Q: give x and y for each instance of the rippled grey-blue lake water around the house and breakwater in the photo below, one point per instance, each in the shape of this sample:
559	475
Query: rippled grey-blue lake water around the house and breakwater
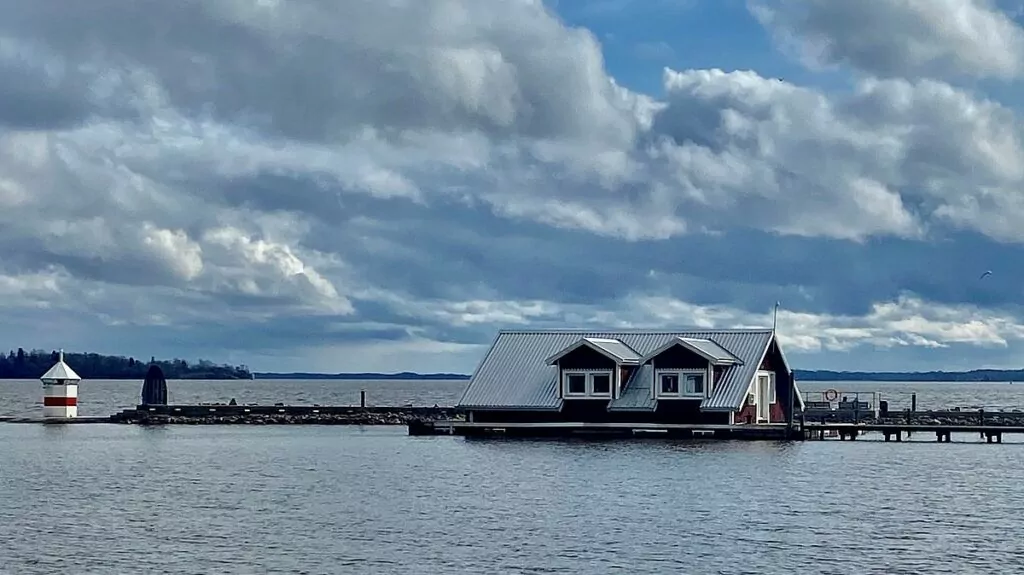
180	500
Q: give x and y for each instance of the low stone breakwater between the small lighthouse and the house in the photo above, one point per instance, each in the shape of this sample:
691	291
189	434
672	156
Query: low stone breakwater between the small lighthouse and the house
281	415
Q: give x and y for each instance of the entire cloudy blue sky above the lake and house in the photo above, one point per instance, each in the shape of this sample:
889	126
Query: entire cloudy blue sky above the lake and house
381	185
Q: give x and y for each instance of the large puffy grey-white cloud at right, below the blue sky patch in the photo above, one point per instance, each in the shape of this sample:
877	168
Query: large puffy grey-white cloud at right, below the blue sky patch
892	158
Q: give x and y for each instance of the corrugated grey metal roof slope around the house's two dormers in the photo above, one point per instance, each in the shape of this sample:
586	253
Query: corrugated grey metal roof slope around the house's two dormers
514	374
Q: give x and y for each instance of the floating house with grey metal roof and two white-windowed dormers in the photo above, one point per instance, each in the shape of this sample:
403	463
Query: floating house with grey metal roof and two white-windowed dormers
701	377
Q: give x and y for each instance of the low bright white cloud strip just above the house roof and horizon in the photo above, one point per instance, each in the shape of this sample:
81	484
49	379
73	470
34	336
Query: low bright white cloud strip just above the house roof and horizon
905	322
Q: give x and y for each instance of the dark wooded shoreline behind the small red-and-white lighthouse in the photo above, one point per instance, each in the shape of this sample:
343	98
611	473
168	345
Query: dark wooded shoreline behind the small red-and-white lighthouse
23	365
